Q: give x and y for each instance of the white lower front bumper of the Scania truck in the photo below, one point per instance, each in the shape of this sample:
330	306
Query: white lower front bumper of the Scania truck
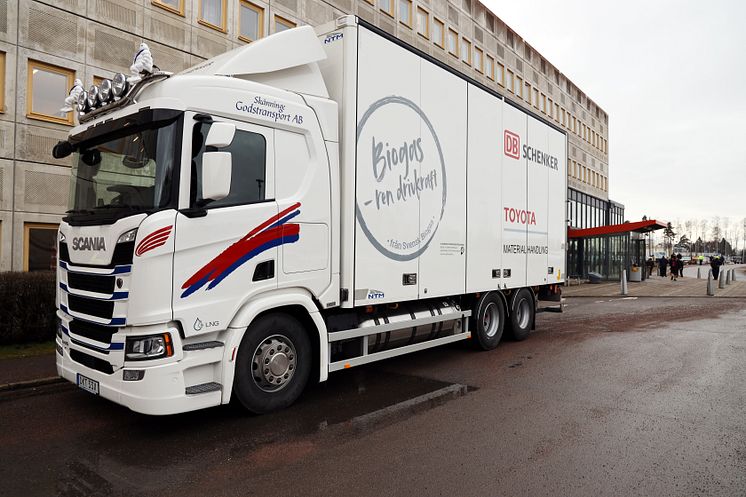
163	388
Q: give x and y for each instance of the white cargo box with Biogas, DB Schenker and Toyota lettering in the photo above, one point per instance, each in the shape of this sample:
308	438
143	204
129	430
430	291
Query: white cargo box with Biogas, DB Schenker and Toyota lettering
446	188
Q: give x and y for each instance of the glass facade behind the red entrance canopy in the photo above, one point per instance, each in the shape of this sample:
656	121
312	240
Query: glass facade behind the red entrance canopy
605	255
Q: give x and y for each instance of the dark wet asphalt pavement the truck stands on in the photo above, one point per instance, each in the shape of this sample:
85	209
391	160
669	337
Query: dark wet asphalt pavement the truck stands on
613	397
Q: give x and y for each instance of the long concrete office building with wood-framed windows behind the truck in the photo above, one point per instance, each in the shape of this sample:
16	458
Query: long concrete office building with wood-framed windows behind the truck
45	45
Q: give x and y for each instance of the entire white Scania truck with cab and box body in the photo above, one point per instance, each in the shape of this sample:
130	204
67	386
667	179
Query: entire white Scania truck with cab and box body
313	201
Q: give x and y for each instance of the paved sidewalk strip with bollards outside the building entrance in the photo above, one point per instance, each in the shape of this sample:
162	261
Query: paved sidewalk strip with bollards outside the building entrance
656	286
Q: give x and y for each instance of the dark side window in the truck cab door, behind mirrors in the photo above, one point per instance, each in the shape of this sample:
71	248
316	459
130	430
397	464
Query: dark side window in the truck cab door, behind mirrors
249	164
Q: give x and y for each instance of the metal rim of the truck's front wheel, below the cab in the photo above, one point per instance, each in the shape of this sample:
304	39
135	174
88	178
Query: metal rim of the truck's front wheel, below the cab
274	363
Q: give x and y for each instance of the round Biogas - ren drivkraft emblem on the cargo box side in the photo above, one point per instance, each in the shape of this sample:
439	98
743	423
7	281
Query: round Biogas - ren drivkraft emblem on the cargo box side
401	180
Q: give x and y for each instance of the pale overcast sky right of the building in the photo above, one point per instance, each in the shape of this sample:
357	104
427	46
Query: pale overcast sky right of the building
672	77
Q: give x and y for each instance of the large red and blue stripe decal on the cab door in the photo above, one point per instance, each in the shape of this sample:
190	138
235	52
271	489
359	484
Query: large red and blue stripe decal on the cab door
273	232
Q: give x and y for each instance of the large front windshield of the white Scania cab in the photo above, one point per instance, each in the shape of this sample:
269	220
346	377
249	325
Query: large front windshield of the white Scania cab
125	172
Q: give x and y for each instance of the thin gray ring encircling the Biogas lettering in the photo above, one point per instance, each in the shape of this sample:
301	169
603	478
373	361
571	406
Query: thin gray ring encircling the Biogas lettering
396	100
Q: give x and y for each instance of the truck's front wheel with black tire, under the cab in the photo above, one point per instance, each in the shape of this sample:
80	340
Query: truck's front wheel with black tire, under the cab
280	344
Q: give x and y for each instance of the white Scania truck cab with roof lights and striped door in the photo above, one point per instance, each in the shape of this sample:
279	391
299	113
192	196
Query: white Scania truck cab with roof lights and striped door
199	203
